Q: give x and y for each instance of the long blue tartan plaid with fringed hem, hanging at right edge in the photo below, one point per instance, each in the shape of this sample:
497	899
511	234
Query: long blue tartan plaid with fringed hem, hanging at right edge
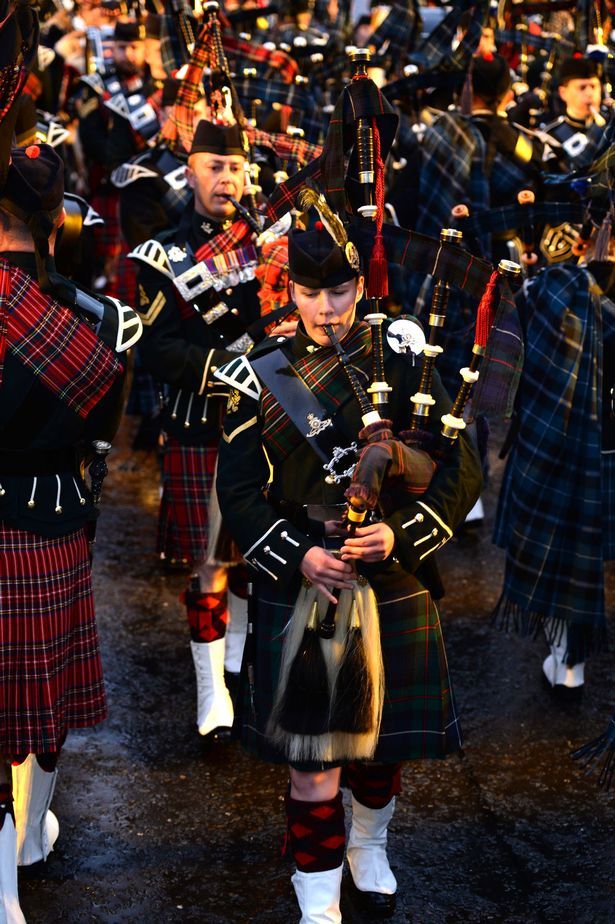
552	506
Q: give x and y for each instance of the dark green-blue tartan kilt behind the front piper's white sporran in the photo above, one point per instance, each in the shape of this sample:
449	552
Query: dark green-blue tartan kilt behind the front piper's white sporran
419	718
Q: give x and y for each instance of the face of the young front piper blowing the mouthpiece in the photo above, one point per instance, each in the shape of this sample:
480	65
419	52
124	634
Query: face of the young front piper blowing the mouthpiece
335	306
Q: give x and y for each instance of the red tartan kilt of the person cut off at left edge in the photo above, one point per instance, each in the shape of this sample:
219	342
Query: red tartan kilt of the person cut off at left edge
50	668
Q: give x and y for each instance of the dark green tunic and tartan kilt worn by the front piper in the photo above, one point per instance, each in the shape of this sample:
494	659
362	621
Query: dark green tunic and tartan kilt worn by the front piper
272	492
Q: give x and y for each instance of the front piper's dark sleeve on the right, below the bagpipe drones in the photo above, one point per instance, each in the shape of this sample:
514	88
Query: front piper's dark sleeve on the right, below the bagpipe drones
425	525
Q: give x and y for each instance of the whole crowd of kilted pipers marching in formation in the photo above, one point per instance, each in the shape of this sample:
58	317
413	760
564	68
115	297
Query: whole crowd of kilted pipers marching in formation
317	246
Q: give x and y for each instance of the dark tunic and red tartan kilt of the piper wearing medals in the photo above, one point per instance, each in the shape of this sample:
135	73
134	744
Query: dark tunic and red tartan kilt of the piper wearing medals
182	346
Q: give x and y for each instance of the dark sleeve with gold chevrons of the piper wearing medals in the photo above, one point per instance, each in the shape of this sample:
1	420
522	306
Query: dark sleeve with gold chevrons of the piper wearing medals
166	350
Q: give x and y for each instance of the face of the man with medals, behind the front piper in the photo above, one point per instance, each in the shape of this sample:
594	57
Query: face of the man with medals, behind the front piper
214	177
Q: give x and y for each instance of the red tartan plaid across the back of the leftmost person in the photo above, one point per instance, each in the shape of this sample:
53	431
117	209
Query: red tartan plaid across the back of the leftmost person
53	343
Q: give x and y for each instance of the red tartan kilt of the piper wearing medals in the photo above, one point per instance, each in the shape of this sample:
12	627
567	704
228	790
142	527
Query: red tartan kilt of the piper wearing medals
187	479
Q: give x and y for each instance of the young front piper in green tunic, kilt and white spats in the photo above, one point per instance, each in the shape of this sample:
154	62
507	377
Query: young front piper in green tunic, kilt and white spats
284	512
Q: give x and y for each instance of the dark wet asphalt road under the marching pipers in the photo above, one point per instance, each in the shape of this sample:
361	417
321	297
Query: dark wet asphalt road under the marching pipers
153	828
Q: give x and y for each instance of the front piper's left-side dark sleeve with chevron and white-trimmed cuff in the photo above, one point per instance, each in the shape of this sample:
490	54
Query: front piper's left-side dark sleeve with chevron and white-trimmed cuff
271	545
